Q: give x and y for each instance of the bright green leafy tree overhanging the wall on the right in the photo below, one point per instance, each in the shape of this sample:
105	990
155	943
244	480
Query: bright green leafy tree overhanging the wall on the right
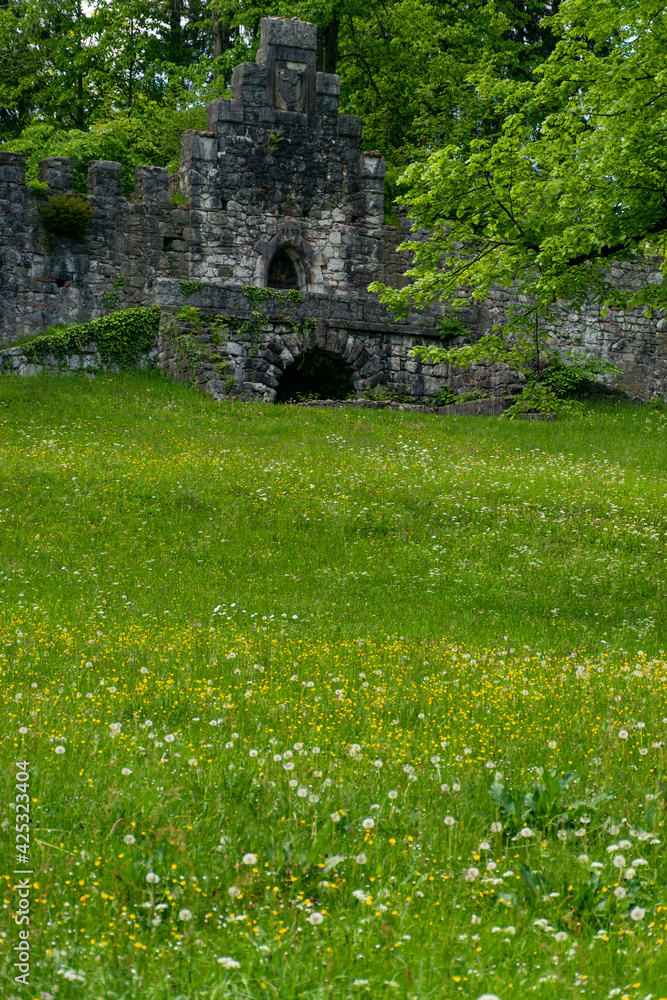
575	177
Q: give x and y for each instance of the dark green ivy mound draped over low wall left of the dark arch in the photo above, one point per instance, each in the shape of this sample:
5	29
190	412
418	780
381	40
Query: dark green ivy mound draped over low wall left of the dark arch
121	337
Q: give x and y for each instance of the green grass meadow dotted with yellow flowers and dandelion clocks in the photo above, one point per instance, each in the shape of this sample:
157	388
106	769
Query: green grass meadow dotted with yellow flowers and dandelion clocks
331	703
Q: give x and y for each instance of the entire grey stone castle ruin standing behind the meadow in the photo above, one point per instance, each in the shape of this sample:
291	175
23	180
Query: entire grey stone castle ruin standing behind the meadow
276	196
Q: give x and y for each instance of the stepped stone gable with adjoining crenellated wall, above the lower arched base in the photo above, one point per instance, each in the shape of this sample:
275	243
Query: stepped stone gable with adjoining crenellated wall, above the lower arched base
268	176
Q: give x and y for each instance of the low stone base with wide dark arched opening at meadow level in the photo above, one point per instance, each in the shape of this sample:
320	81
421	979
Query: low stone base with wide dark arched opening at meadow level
280	353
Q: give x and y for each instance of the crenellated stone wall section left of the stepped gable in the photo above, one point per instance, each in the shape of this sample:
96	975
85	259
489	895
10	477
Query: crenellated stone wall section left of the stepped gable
43	285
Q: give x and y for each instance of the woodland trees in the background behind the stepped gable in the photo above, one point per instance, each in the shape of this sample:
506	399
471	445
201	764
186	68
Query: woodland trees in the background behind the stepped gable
113	77
